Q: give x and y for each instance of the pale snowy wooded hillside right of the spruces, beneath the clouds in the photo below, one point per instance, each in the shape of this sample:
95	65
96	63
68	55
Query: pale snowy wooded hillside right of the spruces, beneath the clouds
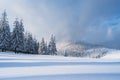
81	49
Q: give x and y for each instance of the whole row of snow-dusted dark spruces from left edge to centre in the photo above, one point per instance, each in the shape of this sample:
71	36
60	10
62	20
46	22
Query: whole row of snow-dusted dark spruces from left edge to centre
20	41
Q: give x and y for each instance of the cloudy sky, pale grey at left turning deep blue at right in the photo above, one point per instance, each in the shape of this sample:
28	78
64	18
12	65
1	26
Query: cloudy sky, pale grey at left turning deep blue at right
94	21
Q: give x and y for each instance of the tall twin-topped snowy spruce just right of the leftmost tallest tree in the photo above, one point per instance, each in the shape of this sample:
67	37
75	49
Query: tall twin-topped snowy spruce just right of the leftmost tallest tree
17	37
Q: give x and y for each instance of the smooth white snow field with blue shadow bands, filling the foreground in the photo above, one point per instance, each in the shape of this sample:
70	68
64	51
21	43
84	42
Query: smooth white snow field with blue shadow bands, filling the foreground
40	67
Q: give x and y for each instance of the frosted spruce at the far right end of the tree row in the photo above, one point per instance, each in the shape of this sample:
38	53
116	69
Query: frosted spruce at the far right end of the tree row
52	46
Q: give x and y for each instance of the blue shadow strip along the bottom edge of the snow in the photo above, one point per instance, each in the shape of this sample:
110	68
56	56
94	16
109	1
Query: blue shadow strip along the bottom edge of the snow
69	77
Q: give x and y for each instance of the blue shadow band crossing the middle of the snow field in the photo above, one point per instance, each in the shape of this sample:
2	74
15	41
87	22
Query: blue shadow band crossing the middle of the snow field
26	64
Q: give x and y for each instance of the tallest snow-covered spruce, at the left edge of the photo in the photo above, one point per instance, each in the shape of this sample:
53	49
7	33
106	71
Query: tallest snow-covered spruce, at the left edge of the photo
4	33
